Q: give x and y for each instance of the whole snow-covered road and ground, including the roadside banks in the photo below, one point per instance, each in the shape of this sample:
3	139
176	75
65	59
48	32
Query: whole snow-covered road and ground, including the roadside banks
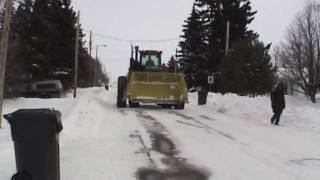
230	138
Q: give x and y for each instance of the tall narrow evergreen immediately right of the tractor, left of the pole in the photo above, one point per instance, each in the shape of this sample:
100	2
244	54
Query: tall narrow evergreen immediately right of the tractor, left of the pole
192	48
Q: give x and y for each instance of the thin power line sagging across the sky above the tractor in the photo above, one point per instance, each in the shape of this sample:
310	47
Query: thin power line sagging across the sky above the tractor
135	40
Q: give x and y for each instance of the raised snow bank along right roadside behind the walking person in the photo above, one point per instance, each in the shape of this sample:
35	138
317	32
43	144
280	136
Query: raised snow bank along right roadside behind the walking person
299	112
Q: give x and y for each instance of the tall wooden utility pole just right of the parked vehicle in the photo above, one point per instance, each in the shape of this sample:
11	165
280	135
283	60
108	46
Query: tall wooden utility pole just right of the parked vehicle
76	57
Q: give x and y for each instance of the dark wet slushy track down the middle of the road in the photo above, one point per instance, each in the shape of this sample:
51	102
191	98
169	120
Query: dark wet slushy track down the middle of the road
177	167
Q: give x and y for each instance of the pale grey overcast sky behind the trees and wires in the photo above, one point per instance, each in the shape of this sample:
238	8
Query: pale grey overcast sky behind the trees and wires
163	19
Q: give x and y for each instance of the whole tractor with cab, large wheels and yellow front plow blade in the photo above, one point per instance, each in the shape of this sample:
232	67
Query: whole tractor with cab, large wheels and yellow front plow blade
151	81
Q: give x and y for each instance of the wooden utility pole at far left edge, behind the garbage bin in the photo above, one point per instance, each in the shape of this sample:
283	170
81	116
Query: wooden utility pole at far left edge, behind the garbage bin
4	51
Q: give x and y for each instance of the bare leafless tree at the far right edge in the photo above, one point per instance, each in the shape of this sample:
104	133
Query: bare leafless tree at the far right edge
300	53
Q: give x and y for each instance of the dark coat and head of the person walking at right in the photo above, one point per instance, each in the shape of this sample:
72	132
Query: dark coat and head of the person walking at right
278	99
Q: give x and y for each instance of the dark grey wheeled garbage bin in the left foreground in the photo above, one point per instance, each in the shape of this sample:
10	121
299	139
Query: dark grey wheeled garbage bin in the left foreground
35	133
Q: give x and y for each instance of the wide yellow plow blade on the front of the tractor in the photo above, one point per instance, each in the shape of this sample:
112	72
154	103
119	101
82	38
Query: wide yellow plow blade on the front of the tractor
164	88
